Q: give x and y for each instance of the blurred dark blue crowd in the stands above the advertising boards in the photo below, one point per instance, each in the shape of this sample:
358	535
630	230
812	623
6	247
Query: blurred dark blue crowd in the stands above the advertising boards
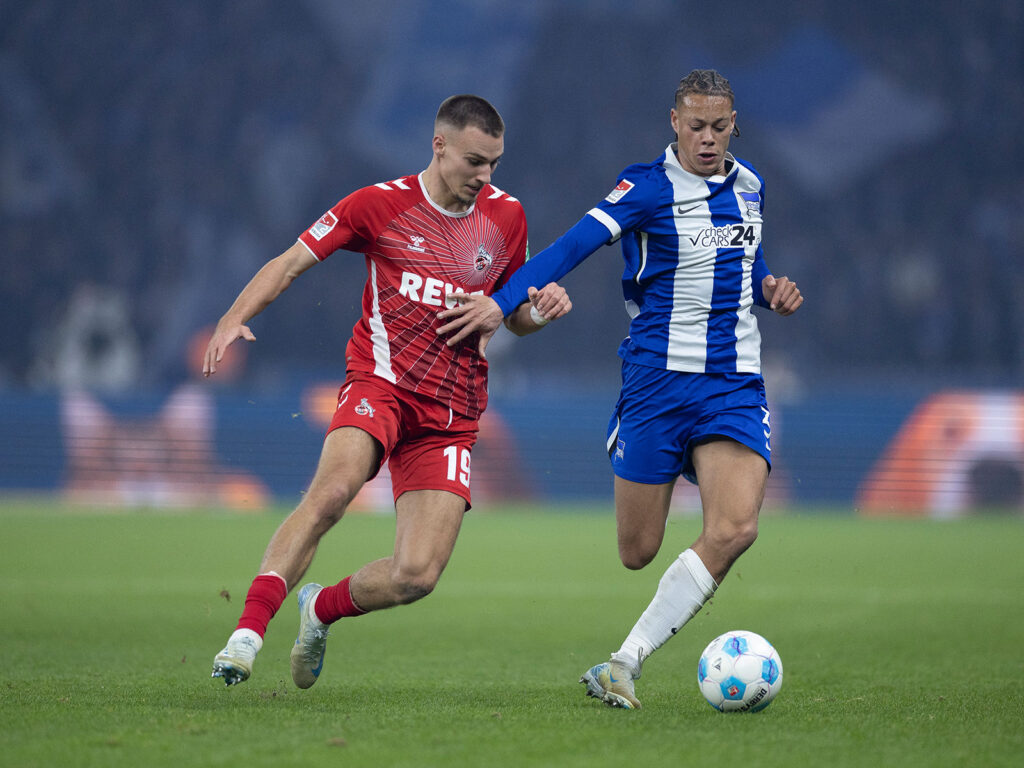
155	155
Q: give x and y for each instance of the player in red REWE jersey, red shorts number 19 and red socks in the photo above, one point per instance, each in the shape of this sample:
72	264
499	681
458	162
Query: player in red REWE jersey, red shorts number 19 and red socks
408	398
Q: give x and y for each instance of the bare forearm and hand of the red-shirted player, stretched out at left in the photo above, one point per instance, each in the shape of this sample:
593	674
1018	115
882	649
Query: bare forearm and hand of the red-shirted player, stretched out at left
267	285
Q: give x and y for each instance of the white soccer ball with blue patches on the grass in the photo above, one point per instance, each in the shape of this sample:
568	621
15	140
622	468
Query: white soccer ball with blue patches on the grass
740	672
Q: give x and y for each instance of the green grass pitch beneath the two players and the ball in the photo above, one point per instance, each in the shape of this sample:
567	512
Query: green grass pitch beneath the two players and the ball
903	644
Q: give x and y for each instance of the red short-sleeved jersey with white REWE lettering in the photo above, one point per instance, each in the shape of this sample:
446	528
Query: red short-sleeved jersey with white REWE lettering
416	253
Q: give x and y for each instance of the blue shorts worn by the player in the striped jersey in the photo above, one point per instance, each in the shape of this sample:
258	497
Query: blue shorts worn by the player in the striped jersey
663	415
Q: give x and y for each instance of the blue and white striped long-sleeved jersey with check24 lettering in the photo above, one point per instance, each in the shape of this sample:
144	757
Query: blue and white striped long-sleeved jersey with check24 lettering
694	265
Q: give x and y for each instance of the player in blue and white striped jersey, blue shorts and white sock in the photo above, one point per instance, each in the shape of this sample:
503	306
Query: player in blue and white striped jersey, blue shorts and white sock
693	401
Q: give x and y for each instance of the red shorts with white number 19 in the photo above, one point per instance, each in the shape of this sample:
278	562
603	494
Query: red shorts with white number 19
428	446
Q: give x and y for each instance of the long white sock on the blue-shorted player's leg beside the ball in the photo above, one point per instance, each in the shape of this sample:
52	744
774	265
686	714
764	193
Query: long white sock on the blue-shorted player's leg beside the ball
685	588
